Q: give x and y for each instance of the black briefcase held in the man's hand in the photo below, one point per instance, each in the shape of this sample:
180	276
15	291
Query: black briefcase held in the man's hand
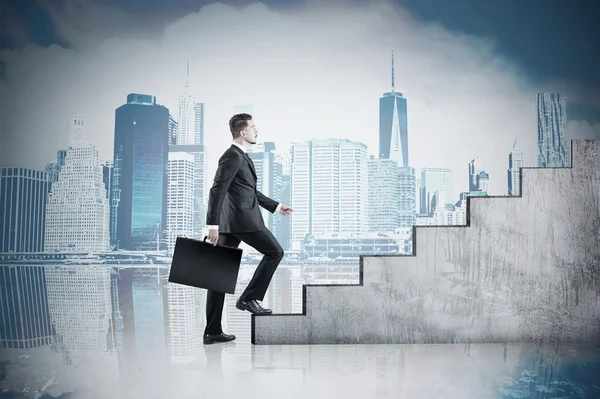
203	265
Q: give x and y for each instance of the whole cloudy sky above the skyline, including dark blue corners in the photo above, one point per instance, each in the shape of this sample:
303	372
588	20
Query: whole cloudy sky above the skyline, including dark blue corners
469	69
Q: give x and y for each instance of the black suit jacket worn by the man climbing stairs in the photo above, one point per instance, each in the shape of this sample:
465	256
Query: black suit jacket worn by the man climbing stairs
233	201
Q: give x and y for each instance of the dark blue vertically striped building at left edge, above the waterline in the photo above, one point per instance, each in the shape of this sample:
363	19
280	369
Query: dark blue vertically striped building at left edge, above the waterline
23	197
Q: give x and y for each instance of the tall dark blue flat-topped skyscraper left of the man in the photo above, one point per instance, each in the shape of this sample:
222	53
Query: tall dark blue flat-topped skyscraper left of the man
139	183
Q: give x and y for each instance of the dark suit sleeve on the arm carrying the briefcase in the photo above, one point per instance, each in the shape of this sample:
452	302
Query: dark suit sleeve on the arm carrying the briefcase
229	164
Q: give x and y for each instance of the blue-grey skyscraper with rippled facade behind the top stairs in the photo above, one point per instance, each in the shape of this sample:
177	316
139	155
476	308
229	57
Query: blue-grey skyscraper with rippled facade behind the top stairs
553	149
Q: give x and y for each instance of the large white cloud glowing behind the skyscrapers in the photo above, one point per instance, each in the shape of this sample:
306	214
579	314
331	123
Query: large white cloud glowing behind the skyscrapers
309	72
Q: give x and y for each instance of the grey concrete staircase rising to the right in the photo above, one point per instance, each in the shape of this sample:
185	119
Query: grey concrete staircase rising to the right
524	269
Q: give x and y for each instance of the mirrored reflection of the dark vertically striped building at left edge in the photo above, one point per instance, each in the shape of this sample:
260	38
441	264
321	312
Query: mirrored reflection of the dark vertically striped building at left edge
24	313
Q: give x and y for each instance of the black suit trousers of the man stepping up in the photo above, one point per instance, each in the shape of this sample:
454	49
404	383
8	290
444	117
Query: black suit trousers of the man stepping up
265	243
